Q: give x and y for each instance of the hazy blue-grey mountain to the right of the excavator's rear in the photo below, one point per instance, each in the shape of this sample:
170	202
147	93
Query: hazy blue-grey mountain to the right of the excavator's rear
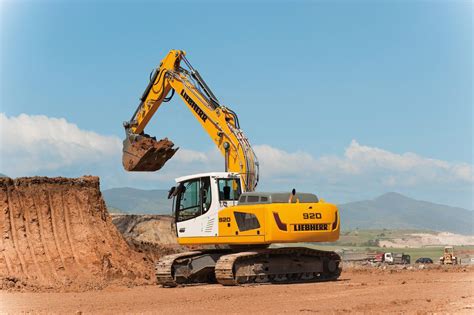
395	211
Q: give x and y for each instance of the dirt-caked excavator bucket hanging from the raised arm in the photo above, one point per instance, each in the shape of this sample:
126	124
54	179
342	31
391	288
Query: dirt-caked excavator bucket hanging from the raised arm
145	154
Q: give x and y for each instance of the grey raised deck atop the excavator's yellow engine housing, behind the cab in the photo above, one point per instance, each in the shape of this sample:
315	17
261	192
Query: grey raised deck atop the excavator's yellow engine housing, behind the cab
248	198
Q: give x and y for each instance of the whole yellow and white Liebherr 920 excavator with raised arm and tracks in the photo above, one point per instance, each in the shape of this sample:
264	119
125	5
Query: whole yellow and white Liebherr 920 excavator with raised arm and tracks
223	209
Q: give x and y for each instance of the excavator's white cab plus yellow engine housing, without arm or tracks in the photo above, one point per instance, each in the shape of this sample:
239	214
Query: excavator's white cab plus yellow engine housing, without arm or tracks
210	208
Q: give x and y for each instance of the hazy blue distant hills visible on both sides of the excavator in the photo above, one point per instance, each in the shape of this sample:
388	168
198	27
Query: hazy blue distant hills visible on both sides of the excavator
389	211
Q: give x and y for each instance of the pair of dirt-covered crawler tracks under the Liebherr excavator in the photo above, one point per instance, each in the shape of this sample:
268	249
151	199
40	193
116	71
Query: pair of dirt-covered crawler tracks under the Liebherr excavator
230	267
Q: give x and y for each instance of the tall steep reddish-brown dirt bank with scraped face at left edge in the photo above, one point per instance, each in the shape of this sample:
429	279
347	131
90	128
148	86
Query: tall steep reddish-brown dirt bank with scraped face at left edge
56	233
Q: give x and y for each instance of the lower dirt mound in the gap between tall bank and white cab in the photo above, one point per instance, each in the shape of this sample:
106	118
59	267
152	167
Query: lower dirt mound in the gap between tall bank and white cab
152	235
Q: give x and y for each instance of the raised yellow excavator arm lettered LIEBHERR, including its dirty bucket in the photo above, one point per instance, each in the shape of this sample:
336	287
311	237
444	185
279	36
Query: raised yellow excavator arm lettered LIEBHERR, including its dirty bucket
144	153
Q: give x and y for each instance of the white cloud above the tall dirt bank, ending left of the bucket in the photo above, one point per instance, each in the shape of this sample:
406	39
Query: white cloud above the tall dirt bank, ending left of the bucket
31	144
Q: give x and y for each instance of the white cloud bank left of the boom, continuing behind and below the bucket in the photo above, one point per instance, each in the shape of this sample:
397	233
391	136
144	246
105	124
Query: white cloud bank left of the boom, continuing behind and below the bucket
39	145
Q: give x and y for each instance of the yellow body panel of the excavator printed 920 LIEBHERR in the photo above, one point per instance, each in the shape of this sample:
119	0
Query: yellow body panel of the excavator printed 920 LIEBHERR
274	223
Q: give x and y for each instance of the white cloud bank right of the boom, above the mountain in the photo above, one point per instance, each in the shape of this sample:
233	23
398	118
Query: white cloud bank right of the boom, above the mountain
364	162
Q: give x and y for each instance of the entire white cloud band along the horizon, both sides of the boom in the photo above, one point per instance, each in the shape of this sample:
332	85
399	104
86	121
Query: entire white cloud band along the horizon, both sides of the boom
40	145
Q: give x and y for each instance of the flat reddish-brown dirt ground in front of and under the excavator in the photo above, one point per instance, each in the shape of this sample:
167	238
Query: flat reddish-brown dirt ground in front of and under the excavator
411	291
